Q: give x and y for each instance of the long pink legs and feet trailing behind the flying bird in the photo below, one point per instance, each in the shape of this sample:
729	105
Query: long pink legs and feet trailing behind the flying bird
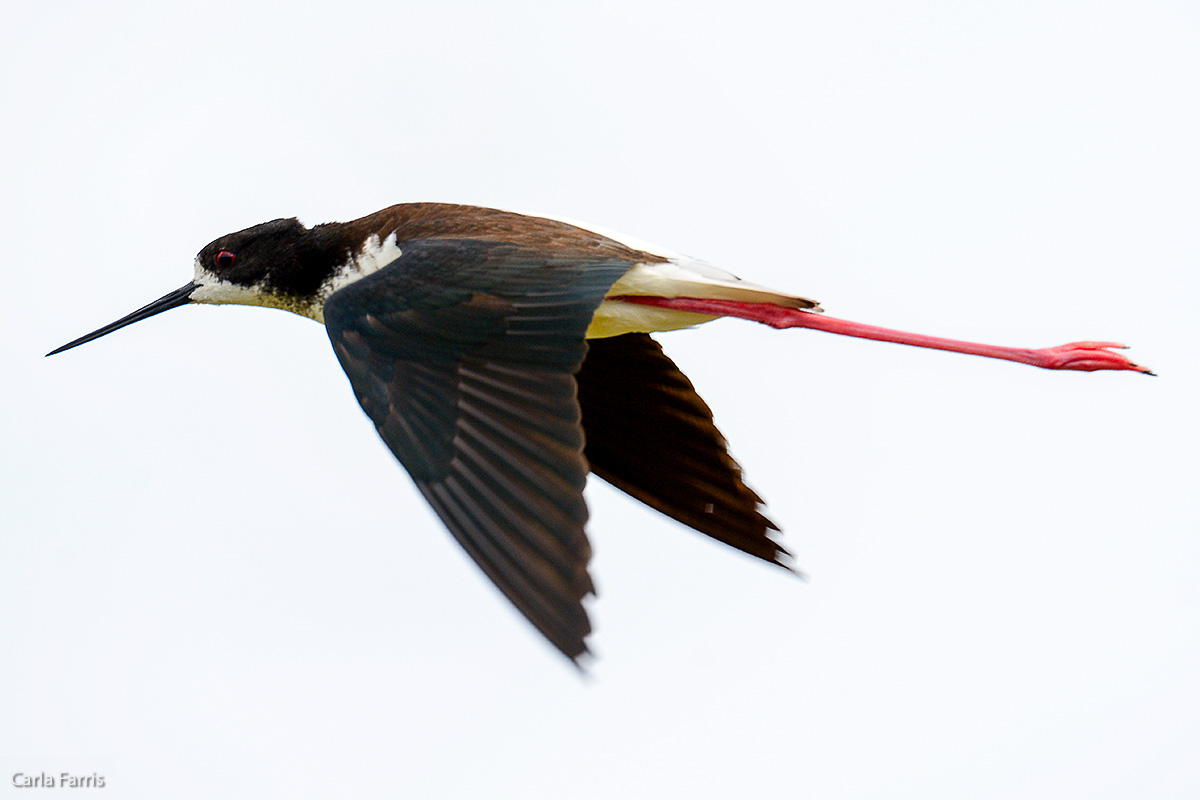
1078	356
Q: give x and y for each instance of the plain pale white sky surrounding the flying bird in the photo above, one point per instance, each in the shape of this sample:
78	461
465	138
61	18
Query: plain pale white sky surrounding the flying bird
217	582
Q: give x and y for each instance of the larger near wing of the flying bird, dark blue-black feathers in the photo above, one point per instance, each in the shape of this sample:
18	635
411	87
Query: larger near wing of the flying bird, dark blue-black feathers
464	354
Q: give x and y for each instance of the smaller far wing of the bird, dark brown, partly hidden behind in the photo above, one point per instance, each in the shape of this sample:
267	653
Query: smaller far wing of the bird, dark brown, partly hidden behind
650	435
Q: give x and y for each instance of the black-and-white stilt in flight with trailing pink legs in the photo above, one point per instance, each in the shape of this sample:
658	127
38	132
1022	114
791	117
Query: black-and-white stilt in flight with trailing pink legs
505	357
